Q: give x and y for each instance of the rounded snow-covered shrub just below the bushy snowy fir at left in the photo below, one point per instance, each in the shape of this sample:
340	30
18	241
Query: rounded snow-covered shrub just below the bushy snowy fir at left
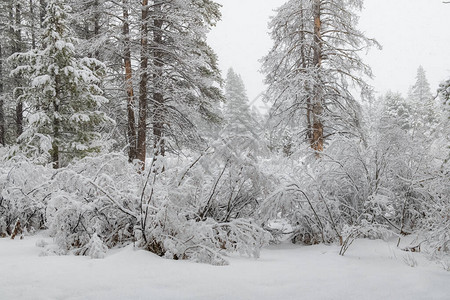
96	195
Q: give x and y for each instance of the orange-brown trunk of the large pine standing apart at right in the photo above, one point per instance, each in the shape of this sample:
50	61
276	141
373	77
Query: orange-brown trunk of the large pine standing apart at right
317	105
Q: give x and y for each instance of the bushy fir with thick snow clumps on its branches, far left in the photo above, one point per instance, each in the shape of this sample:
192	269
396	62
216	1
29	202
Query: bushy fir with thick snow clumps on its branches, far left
63	93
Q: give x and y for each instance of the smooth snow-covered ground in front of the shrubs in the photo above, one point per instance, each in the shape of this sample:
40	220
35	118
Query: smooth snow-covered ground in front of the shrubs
370	270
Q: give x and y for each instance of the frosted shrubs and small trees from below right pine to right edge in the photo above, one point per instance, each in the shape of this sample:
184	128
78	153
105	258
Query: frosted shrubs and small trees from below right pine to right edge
394	182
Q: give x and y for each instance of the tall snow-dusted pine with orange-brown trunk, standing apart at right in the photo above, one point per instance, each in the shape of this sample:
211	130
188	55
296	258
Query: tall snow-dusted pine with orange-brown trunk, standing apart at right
312	66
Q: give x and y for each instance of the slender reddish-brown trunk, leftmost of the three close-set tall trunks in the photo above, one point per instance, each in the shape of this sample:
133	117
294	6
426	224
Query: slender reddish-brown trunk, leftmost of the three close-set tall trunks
131	124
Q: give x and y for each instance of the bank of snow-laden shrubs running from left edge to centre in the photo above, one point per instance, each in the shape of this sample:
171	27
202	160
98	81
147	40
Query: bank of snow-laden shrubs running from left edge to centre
179	208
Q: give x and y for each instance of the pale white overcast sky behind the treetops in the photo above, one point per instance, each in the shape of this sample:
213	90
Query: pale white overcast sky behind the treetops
412	33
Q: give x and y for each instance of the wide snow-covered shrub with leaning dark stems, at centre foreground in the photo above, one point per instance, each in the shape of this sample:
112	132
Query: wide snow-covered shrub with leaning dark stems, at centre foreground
201	209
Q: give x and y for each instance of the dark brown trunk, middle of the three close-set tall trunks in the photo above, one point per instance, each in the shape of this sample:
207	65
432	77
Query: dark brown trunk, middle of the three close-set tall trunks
142	125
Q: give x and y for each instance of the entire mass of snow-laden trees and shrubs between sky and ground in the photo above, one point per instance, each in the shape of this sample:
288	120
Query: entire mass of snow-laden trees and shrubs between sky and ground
213	179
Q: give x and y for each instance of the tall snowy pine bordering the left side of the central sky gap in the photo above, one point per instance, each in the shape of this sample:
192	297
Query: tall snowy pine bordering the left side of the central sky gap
183	72
